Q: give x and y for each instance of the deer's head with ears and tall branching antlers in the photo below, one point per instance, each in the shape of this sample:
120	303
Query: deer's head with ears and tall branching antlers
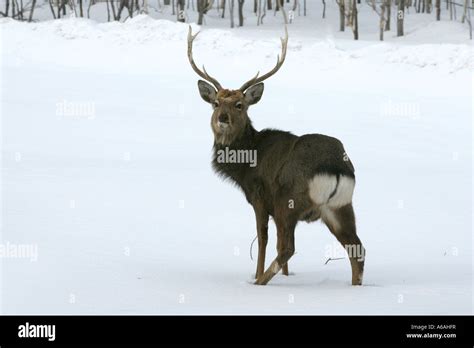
229	118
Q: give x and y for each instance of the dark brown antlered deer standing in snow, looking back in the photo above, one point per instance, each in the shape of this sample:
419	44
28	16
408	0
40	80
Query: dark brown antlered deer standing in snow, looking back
296	178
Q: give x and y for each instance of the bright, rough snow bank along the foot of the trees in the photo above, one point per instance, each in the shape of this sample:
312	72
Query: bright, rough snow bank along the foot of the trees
144	38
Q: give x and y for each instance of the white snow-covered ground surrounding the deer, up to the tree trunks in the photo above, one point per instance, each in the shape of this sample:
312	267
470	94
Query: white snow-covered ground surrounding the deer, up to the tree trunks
106	150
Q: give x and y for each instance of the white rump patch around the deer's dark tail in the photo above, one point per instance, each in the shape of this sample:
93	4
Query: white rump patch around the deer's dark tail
322	186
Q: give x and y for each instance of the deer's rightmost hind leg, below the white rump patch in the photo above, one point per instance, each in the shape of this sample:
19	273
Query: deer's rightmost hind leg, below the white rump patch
341	222
